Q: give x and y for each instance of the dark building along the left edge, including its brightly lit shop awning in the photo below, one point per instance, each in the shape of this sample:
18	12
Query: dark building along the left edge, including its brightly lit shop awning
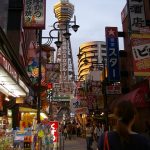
15	85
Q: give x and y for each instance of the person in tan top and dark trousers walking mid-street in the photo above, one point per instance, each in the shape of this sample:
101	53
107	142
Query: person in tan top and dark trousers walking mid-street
89	136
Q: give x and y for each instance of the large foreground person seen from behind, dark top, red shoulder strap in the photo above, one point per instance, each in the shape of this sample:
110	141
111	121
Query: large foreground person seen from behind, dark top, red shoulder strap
123	138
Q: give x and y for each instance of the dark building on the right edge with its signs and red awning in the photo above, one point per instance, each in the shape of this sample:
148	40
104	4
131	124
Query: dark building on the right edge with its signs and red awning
135	60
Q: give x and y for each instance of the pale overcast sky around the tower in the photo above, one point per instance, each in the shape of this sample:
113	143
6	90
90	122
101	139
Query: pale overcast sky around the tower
92	16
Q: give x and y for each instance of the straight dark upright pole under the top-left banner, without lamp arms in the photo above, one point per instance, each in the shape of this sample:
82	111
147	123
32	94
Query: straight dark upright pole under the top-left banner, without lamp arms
40	77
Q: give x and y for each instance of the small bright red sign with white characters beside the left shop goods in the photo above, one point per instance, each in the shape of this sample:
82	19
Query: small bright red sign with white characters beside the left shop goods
54	126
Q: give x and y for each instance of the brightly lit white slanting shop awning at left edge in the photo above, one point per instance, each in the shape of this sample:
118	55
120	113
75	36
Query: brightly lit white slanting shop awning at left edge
10	81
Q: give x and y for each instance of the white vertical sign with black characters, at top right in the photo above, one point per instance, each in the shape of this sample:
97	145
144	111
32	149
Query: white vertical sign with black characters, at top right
136	14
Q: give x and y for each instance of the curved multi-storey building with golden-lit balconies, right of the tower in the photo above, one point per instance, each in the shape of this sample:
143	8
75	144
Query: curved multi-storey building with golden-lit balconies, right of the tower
89	53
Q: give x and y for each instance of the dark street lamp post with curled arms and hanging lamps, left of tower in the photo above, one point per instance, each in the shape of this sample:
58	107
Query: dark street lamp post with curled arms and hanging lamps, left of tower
58	44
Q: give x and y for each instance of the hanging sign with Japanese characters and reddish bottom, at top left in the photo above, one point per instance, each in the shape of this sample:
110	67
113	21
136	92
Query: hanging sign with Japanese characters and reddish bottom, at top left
34	14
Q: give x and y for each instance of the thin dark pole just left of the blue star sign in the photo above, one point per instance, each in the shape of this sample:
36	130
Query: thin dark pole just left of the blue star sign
105	95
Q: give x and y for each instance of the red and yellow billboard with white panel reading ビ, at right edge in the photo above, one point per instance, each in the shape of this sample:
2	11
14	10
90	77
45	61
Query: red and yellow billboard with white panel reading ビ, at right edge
141	54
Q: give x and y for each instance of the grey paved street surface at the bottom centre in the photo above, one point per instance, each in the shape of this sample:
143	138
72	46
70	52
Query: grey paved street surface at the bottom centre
75	144
